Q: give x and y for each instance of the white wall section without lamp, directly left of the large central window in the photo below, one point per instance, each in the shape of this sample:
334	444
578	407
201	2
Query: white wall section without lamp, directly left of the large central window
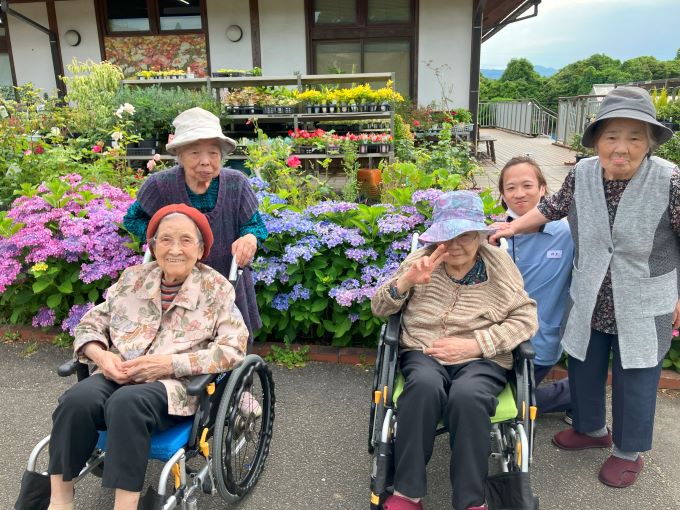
282	37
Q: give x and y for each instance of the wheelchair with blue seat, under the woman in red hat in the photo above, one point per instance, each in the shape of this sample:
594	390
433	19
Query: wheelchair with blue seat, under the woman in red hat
229	467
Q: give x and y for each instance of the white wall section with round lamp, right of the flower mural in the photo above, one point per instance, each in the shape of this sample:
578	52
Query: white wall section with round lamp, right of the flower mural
223	52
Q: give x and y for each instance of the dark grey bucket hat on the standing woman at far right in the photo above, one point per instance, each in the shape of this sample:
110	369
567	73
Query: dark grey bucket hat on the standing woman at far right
627	103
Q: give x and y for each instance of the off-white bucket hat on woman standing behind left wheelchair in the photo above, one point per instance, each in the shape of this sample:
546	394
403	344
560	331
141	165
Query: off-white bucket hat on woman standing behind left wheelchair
198	124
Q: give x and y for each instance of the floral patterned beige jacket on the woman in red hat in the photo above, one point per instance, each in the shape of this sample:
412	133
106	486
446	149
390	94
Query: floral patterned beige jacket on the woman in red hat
203	329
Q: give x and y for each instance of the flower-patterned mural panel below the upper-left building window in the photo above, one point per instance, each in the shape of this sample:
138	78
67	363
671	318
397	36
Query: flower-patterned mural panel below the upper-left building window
158	52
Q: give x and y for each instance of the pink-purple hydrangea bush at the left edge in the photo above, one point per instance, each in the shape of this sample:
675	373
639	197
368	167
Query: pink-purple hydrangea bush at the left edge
61	247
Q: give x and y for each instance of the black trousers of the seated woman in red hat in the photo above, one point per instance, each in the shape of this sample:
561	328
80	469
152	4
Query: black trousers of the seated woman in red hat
130	414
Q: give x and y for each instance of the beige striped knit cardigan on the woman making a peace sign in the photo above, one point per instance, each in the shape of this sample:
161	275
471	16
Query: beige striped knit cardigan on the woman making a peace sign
497	313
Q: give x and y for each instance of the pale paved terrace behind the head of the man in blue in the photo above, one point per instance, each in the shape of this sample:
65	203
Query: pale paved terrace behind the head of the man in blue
555	161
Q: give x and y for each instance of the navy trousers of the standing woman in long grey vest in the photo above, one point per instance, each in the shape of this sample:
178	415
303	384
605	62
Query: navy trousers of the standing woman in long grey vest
633	394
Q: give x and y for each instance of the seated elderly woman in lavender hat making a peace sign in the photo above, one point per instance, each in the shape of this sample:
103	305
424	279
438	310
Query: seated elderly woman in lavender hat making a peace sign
466	310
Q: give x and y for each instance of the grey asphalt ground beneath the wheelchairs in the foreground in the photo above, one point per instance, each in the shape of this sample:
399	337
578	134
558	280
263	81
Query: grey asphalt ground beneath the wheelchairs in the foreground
318	457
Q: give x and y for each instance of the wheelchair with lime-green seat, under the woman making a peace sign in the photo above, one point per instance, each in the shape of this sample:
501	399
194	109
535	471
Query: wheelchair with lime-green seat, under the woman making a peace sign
512	432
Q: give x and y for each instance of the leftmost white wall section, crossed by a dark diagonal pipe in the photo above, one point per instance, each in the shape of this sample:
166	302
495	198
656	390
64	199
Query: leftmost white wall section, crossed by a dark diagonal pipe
31	48
